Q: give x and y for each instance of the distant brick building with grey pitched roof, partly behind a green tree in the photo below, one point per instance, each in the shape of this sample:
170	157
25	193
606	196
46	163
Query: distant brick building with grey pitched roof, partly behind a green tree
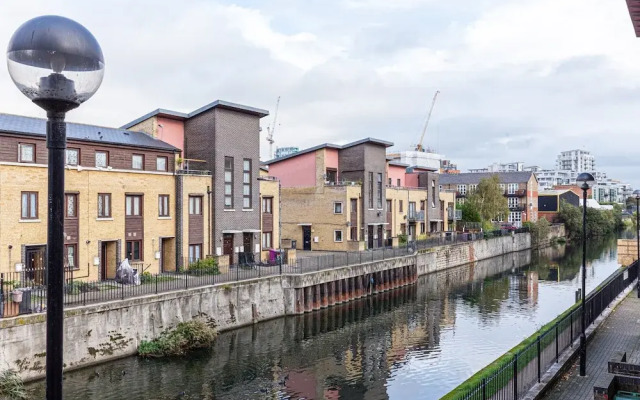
520	189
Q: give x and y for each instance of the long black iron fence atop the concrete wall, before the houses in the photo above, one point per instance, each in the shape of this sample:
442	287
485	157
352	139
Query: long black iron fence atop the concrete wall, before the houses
25	292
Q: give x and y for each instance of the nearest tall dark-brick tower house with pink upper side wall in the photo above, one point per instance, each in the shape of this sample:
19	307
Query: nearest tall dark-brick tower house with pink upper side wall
223	138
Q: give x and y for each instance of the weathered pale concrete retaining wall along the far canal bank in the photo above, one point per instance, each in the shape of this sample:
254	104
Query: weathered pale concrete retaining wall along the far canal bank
97	333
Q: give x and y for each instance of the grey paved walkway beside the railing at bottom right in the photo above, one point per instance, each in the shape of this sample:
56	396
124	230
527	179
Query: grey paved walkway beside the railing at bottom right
621	331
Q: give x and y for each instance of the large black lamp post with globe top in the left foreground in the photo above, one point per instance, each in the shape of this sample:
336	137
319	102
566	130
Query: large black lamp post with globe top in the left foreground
58	64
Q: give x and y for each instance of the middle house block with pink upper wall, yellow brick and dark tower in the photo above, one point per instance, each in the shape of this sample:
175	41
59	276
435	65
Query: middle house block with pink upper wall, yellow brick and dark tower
333	196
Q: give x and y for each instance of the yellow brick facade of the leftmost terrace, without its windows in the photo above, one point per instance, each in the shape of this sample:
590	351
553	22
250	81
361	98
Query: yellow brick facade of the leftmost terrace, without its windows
92	231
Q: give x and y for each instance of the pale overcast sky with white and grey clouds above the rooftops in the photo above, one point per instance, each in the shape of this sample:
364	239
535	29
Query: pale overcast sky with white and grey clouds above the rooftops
520	80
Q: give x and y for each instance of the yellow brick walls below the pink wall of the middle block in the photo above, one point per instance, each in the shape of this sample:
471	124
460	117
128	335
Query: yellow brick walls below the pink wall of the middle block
314	207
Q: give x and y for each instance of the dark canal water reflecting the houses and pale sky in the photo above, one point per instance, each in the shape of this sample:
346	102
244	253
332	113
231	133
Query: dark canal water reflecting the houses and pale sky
416	342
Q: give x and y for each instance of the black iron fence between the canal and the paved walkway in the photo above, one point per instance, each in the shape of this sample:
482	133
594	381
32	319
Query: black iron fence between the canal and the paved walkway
514	376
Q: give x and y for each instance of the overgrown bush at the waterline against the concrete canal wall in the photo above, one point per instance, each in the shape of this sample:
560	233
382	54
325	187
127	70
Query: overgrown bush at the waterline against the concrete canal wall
184	337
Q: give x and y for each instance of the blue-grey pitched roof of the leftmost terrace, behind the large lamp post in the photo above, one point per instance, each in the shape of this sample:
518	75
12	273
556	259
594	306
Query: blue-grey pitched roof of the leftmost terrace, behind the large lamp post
22	125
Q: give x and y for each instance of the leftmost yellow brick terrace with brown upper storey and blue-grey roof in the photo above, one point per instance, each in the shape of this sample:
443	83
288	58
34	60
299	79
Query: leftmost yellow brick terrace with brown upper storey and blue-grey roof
124	198
